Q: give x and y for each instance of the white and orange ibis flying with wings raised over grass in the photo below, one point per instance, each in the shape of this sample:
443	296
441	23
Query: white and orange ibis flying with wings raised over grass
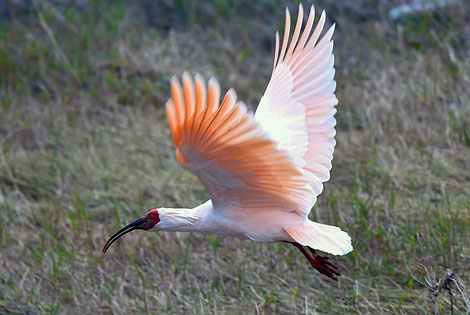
263	171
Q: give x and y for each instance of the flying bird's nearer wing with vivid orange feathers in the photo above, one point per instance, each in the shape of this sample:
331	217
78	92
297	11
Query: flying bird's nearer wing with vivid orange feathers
229	152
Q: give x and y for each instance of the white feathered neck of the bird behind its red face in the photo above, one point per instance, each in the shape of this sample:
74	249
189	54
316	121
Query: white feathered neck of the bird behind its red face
182	219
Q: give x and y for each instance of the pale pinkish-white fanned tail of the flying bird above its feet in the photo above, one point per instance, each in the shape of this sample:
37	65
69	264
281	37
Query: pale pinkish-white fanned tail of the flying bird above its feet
327	238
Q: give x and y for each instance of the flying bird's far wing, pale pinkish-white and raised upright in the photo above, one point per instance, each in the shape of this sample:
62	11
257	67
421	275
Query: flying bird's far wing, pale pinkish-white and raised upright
298	106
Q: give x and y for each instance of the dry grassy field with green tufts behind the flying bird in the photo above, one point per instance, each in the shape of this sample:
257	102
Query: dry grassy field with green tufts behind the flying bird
85	148
